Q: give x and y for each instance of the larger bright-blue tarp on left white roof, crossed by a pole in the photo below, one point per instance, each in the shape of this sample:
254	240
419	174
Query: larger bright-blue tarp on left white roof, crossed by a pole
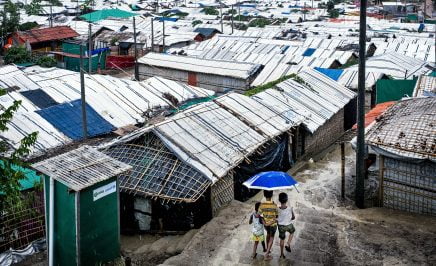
67	118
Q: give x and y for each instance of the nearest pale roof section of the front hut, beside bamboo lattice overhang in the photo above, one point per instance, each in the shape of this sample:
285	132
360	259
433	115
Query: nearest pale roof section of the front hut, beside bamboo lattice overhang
209	138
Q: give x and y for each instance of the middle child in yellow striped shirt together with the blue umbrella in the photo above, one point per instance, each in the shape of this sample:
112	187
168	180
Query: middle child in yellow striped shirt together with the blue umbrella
269	181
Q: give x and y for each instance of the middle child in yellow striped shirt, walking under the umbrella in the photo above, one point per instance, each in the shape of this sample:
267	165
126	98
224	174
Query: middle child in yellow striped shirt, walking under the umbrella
269	212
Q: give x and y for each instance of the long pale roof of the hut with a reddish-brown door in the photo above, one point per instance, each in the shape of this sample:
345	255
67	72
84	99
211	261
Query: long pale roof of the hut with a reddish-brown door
215	67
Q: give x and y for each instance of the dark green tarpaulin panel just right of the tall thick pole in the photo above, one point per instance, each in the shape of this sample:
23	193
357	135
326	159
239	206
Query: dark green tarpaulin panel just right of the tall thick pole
393	90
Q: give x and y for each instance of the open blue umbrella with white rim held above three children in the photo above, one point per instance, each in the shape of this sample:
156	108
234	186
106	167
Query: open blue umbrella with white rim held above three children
271	181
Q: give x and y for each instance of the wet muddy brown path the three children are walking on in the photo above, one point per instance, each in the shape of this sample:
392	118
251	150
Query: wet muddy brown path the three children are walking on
329	231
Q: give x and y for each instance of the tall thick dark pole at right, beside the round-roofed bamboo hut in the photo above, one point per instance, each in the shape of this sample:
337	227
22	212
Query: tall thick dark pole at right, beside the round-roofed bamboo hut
360	155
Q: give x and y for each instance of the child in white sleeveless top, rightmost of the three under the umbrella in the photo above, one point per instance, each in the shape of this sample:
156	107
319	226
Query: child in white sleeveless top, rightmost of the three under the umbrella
284	220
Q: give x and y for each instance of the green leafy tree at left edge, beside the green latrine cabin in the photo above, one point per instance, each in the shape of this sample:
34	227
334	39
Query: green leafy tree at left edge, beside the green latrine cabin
10	175
